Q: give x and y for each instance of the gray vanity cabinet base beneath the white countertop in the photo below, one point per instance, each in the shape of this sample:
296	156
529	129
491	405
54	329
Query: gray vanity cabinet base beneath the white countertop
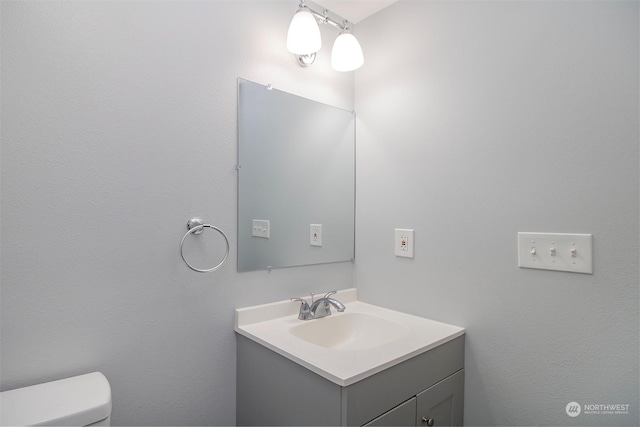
273	390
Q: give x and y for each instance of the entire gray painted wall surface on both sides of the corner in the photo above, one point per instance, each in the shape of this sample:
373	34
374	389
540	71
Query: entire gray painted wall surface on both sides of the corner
118	124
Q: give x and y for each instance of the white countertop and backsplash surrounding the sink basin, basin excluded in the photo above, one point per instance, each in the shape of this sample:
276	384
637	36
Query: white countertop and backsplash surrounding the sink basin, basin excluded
270	325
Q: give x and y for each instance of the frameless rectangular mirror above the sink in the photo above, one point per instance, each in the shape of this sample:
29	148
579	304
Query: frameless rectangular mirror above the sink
296	180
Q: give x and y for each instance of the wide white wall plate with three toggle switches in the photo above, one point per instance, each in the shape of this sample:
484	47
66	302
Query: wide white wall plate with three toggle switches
556	251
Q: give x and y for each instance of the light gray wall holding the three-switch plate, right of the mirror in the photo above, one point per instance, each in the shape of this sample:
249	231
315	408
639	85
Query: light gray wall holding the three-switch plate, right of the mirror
477	120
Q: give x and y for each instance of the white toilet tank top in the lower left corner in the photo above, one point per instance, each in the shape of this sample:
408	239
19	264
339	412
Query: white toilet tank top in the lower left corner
75	401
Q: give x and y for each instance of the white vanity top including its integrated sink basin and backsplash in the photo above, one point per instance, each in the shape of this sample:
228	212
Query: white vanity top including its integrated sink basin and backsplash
344	347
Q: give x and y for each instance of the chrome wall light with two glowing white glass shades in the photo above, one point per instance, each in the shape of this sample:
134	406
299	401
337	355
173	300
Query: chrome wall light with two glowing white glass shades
303	39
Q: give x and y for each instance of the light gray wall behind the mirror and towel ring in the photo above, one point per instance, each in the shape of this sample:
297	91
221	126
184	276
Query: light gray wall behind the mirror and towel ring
118	125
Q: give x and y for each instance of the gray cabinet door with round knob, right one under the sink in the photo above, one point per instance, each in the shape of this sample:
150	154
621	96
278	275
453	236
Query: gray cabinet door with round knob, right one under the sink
442	403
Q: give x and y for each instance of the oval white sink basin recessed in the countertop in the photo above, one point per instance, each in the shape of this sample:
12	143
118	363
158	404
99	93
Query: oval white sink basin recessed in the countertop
350	331
